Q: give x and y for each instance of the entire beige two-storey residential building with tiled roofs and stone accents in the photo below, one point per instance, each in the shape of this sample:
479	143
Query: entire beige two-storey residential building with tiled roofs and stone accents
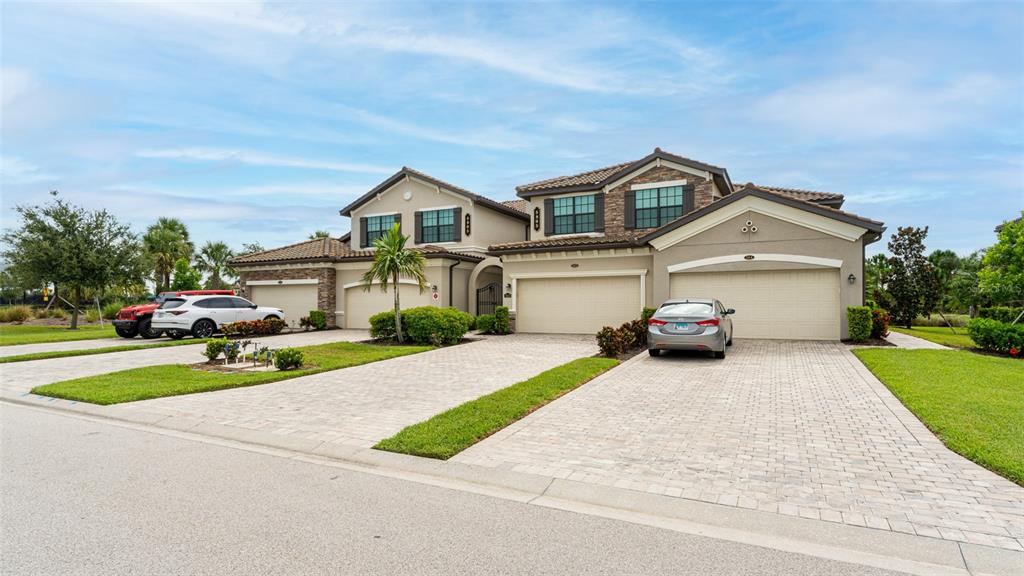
576	254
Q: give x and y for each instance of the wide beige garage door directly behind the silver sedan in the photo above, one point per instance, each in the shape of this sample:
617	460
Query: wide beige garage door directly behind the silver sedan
799	305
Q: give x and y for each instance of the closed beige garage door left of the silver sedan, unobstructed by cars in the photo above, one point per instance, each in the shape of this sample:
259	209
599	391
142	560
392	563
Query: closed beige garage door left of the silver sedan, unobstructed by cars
576	306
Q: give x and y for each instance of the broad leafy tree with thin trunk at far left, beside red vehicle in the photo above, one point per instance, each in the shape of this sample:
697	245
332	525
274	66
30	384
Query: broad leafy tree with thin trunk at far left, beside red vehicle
72	248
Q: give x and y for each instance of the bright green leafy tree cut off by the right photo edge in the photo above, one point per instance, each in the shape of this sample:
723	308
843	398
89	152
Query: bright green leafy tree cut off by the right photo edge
1002	276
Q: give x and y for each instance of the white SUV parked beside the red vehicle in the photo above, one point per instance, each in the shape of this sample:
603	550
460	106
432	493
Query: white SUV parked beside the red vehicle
202	316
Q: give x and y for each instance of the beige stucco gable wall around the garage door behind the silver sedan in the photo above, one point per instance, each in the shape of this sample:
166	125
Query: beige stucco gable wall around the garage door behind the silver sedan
774	237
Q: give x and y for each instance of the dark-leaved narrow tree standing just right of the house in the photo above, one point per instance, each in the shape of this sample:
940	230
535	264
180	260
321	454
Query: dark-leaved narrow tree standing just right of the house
911	280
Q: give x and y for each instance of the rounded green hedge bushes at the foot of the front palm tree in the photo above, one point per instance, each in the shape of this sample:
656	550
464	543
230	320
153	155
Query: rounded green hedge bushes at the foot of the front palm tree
423	325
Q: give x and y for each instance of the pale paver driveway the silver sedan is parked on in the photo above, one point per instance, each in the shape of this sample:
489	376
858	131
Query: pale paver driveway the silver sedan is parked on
799	429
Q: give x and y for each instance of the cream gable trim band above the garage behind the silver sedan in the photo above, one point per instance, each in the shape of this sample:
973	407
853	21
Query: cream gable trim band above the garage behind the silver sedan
770	209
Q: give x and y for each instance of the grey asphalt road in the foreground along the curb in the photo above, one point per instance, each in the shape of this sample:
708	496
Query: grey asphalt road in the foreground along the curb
88	498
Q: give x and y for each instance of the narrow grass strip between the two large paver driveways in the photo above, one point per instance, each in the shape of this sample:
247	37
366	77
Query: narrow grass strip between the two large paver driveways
452	432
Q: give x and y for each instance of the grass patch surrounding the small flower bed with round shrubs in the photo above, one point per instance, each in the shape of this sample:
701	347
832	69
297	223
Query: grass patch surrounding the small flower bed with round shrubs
175	380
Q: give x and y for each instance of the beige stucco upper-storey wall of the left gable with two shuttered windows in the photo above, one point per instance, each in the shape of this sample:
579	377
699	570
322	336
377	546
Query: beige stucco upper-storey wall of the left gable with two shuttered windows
487	227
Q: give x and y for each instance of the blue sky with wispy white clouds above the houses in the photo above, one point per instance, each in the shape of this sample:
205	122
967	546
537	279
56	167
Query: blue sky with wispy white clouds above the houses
259	121
